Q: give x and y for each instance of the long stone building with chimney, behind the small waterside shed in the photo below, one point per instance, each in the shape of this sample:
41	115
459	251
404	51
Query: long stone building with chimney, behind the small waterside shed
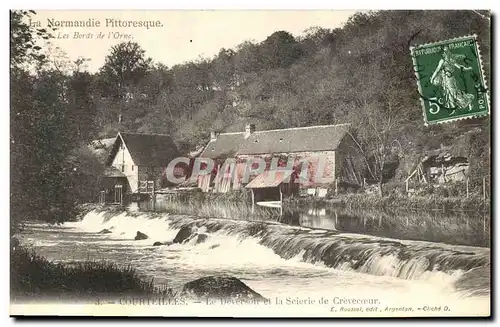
331	143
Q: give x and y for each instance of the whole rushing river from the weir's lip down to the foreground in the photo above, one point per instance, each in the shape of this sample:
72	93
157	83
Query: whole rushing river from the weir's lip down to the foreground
274	259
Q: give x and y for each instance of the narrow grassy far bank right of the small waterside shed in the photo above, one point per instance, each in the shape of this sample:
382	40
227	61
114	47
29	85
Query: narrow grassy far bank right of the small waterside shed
399	202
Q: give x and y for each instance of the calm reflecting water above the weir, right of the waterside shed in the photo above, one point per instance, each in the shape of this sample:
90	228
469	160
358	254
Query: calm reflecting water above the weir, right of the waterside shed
461	228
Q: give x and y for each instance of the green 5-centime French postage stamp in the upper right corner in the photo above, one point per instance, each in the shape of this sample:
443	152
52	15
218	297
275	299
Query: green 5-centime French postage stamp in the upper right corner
450	80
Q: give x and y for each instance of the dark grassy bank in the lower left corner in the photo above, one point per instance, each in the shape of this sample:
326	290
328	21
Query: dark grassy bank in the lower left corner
34	277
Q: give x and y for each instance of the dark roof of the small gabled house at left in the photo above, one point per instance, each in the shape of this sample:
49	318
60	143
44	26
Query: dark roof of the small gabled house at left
153	150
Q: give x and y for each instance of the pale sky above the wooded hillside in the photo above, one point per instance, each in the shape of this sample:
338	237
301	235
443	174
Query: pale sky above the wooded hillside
181	35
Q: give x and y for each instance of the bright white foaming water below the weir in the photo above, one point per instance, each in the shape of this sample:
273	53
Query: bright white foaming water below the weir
268	273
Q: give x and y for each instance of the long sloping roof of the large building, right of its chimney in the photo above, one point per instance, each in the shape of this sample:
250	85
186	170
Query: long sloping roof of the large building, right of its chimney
313	138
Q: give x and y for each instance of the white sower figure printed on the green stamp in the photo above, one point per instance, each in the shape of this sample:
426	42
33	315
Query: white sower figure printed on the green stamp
445	77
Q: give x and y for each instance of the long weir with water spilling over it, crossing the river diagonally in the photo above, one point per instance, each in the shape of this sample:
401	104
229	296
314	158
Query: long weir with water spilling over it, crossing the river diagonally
360	253
